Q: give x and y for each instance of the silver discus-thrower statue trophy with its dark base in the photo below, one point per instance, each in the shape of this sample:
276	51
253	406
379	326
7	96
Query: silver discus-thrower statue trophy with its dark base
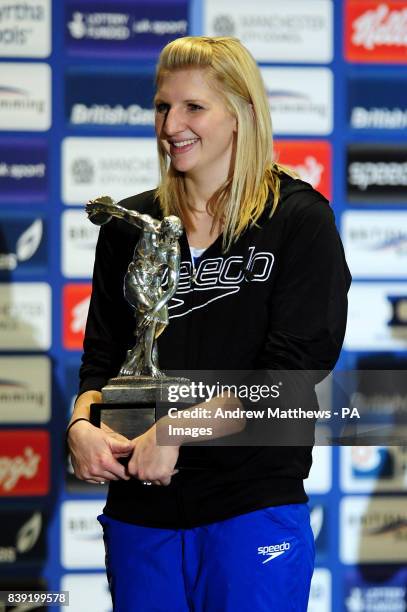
129	400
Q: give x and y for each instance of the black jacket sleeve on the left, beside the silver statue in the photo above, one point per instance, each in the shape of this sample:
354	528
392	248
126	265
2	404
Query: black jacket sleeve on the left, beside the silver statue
110	320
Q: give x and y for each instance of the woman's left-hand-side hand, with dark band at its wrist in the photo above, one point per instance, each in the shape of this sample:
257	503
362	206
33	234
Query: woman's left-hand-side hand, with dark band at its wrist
95	453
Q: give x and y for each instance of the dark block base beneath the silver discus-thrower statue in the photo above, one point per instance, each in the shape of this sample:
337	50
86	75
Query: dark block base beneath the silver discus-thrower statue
129	403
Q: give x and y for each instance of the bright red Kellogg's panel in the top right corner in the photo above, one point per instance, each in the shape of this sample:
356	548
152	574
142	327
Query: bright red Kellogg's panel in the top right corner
376	32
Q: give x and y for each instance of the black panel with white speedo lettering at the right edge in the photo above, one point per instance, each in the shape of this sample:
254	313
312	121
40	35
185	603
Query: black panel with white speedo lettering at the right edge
377	173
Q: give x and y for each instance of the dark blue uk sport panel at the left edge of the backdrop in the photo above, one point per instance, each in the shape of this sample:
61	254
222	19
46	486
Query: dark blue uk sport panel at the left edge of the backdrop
23	170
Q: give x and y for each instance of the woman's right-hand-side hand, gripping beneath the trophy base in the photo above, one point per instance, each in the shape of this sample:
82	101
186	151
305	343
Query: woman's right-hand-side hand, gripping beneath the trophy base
151	462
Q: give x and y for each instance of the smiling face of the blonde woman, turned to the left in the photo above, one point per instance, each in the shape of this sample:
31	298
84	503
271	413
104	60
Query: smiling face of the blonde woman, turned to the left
194	125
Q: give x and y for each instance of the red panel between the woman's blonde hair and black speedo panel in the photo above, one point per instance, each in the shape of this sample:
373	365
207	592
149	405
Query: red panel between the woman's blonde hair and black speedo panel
310	159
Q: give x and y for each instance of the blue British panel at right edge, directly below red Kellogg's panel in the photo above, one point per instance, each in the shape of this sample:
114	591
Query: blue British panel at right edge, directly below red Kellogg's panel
377	103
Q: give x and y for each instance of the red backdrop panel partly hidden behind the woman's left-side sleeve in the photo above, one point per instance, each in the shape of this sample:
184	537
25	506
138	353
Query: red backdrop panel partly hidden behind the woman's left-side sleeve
76	300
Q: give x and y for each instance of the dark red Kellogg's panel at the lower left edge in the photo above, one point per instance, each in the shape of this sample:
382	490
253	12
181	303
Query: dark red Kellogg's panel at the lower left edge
24	463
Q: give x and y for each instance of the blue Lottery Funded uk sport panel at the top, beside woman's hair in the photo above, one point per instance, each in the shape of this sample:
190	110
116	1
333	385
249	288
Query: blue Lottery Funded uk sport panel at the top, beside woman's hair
123	29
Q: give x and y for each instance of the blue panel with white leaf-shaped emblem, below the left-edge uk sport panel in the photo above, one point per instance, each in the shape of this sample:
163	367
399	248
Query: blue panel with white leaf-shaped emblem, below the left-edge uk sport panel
23	244
